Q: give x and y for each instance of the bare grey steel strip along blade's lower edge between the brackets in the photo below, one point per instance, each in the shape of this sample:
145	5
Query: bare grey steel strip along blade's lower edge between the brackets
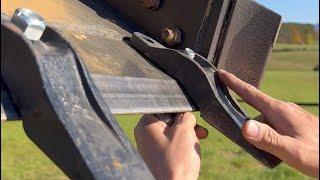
127	95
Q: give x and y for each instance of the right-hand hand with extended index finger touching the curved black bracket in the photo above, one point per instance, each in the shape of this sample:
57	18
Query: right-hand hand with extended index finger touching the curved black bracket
283	129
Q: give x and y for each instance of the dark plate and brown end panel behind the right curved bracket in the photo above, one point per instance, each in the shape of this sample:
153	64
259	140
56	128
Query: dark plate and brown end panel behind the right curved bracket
236	35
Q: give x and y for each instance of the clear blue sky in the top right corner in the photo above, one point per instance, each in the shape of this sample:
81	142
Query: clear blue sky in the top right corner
302	11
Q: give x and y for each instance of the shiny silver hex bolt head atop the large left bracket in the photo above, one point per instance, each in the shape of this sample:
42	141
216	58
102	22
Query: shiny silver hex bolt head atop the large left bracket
31	24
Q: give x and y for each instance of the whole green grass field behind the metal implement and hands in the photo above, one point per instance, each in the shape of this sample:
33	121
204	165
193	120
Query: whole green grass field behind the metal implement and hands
221	159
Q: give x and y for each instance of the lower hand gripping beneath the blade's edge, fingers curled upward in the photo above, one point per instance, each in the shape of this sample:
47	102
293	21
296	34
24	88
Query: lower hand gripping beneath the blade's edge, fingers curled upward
171	152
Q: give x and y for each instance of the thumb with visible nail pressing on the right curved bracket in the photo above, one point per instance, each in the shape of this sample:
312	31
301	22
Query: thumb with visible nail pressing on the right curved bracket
264	137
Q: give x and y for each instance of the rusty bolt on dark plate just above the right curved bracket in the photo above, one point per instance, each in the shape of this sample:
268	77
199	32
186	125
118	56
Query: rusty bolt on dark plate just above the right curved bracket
171	35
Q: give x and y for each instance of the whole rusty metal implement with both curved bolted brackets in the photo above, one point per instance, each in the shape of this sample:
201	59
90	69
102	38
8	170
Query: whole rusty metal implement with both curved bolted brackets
68	110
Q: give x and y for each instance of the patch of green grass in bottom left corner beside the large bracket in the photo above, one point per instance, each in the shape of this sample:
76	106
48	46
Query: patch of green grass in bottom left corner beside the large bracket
21	159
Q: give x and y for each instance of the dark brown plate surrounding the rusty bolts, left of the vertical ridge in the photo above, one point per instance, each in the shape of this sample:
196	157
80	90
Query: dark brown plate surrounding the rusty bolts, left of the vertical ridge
196	19
